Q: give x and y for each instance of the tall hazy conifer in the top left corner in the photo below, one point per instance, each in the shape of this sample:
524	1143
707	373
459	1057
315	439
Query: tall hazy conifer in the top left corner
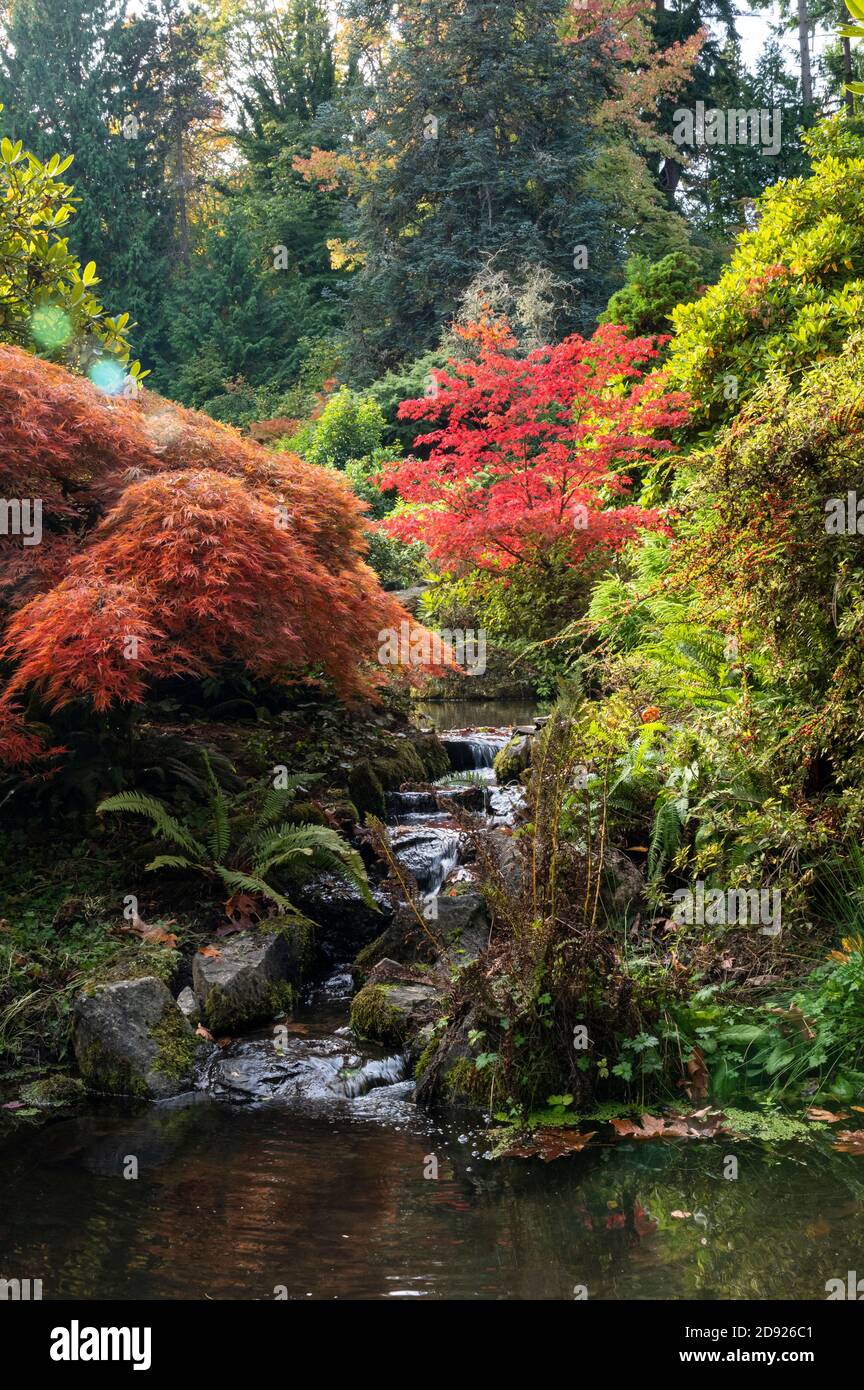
119	91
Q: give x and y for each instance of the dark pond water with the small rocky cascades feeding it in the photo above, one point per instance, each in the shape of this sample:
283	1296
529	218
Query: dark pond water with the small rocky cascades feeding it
304	1170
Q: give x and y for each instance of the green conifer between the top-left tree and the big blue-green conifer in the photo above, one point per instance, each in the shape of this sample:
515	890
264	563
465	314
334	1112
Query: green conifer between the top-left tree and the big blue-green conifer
262	300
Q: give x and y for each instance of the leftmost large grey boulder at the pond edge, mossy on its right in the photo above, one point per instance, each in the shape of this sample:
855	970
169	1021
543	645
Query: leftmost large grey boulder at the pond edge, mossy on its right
131	1039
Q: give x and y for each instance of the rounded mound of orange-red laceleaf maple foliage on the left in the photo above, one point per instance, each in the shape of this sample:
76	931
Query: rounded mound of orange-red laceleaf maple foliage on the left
172	546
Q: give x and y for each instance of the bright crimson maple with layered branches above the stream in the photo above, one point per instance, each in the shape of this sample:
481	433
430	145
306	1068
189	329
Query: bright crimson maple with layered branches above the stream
533	452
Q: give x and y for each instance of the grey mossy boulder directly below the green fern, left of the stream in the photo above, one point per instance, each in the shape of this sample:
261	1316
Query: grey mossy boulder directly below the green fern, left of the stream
247	981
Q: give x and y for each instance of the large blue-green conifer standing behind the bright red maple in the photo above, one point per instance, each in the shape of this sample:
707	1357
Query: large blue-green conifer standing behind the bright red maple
470	144
